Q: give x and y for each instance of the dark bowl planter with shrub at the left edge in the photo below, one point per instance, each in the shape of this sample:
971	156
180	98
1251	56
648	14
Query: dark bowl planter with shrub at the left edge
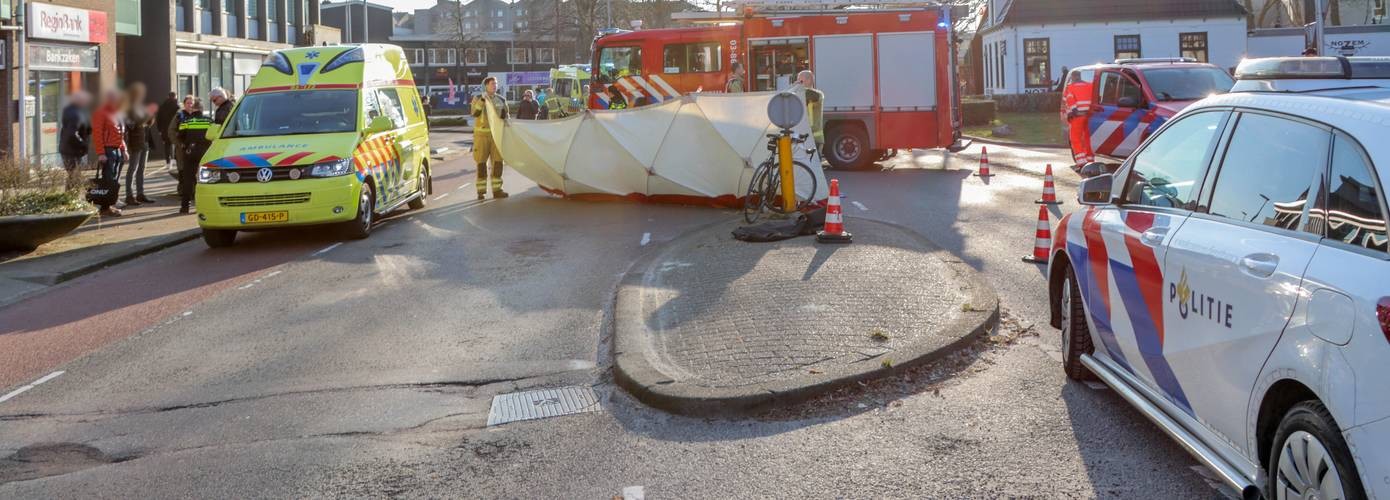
38	205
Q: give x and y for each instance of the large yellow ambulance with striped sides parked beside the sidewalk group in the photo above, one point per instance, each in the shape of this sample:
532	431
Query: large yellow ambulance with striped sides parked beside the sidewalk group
323	135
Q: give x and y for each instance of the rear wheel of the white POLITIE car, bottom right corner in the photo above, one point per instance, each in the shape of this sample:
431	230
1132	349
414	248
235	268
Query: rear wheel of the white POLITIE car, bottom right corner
1310	459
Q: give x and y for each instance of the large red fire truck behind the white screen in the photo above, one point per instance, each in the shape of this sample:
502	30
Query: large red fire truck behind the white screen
889	73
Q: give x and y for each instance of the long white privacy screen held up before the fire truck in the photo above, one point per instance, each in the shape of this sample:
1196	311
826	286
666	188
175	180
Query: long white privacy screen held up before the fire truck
694	149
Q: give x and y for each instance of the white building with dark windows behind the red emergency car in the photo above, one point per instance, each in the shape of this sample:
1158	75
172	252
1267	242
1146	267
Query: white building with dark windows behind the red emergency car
1028	44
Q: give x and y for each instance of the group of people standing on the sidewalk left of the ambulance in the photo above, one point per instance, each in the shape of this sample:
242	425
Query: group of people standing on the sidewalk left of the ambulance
123	131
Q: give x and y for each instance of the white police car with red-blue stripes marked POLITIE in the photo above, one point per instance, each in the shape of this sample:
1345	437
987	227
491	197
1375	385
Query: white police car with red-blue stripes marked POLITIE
1232	280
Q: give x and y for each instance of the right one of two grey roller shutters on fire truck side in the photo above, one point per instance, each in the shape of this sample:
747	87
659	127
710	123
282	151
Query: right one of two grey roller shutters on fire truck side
914	62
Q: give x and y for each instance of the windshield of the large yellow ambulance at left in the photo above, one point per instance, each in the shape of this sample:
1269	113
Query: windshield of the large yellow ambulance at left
294	113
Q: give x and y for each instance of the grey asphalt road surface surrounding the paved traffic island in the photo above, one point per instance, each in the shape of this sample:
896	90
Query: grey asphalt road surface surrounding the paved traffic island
293	366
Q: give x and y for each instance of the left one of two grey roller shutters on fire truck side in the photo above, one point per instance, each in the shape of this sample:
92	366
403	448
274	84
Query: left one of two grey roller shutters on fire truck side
846	67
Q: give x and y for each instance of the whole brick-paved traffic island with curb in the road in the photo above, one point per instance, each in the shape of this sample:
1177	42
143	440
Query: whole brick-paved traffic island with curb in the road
710	326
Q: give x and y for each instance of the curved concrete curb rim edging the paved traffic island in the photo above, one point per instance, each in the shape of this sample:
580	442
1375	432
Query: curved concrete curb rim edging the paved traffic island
650	385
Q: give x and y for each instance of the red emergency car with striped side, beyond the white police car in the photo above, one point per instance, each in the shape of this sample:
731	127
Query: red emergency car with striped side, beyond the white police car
1134	98
